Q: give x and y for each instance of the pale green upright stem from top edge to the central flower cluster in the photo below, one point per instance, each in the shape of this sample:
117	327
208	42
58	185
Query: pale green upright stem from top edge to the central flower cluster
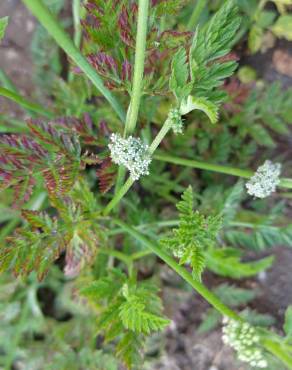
133	109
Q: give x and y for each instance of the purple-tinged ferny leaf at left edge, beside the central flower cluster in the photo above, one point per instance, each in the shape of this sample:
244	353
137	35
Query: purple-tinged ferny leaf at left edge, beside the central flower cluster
51	149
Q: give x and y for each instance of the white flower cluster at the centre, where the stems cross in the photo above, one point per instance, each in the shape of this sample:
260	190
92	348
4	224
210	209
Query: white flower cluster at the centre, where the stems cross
131	153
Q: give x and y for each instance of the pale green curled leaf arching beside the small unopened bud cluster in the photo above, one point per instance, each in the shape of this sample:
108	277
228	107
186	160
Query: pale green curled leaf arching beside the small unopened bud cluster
202	104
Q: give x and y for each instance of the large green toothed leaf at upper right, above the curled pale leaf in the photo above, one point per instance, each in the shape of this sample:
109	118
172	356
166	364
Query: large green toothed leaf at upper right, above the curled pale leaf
207	68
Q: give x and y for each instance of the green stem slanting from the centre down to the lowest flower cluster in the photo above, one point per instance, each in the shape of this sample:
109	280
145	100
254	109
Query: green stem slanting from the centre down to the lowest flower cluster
199	287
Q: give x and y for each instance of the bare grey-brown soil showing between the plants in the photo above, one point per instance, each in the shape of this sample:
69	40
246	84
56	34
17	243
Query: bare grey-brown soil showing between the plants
185	349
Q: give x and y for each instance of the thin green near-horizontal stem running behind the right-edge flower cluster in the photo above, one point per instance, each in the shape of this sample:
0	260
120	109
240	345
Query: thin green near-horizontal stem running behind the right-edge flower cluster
284	183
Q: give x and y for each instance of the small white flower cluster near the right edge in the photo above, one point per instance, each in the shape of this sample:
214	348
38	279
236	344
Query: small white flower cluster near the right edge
264	181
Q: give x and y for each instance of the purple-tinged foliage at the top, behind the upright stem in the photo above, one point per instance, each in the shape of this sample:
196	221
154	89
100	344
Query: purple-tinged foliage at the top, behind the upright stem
112	26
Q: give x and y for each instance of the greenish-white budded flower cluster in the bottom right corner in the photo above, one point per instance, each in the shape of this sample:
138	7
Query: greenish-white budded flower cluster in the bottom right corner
244	339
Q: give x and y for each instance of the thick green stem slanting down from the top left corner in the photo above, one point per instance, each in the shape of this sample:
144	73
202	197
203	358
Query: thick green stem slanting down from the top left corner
49	22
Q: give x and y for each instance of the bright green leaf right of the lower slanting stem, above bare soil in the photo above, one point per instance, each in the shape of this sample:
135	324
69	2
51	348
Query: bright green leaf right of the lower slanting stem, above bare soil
226	262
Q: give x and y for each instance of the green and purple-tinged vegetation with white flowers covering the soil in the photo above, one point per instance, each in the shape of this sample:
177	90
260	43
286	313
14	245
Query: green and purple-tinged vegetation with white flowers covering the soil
151	116
